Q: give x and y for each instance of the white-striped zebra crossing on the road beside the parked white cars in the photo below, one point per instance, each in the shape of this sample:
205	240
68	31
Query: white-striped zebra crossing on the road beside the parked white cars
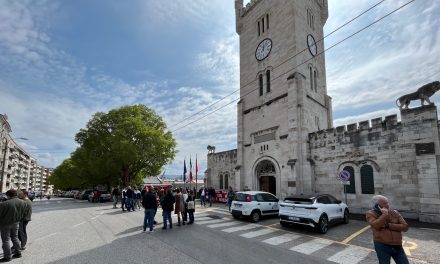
308	245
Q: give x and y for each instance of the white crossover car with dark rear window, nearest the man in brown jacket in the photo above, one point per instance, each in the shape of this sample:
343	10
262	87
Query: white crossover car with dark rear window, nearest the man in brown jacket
316	210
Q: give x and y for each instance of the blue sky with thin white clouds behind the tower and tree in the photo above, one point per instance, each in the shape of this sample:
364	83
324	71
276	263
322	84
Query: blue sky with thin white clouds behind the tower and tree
63	61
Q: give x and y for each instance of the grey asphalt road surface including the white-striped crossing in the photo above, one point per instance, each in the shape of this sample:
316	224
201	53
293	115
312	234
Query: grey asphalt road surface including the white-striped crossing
70	231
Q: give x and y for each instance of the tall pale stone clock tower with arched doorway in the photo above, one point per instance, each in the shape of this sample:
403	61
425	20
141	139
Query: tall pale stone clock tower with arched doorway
283	93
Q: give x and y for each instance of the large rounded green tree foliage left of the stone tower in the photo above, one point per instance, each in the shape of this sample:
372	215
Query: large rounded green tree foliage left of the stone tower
123	145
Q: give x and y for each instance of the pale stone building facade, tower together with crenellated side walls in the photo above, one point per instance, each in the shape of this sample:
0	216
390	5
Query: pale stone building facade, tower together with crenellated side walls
286	143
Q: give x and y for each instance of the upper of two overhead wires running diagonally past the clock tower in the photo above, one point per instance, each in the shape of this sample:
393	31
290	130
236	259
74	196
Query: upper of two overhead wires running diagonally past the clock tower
318	54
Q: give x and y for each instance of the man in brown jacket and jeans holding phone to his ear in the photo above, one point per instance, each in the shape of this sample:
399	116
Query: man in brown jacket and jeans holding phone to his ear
387	226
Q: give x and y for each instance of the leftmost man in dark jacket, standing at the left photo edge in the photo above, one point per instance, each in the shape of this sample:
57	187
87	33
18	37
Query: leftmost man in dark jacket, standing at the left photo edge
11	213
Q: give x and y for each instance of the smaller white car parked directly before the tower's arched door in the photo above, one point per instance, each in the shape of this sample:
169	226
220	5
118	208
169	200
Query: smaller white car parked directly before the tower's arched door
254	205
